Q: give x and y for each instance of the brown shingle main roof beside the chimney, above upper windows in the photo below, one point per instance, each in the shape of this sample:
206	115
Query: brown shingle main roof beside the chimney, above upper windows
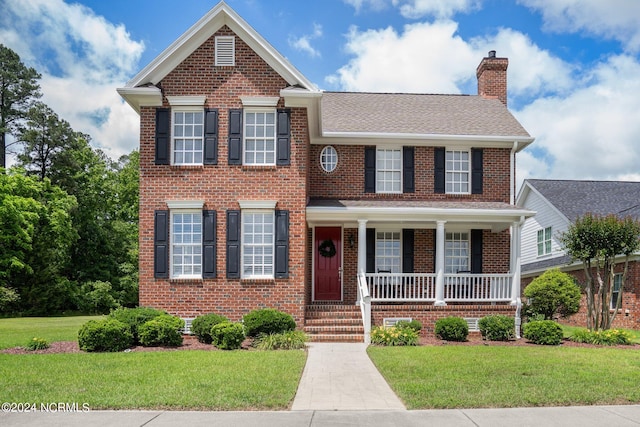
397	113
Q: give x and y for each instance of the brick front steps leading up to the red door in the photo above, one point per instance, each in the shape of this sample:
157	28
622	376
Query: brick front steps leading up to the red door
333	323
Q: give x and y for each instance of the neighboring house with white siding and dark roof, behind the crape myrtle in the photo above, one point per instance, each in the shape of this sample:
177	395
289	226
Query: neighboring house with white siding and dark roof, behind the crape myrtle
558	203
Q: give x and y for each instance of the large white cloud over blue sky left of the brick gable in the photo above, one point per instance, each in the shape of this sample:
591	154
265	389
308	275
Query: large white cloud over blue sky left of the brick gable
82	59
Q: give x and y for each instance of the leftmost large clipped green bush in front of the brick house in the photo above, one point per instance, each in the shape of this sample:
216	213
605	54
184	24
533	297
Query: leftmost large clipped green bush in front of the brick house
104	335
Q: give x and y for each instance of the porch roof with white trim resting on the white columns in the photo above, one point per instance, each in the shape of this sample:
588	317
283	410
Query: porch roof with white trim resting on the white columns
496	216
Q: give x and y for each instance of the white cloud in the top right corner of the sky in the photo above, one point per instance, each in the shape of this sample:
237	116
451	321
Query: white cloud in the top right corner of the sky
612	19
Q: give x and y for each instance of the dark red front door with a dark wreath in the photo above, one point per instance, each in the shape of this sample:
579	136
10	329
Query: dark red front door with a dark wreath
328	264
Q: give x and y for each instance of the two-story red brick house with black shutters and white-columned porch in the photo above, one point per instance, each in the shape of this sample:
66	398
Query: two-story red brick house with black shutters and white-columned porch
259	190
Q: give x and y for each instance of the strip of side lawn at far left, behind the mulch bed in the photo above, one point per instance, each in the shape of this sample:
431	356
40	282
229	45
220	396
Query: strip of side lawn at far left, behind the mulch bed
15	332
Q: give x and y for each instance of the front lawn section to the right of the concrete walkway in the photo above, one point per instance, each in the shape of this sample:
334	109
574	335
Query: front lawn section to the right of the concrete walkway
503	376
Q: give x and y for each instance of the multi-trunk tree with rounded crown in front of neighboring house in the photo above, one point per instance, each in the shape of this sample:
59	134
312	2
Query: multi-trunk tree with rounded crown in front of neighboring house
601	243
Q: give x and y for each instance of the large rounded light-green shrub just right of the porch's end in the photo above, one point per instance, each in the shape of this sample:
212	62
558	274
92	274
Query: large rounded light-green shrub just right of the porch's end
553	293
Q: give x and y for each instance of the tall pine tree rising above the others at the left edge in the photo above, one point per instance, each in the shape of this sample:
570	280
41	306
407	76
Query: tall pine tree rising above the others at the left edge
18	89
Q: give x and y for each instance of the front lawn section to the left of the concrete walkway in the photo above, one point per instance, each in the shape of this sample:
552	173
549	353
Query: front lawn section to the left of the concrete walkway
217	380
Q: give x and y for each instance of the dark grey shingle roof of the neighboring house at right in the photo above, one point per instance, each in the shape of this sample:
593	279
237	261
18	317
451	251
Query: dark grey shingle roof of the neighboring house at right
576	198
